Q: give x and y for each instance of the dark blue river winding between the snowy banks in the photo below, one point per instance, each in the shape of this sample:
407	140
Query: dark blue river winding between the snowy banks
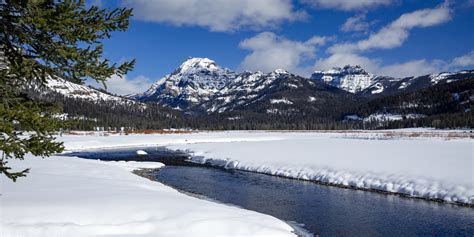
324	210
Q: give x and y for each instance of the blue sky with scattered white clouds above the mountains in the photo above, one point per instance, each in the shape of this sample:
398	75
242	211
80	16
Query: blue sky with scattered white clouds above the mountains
387	37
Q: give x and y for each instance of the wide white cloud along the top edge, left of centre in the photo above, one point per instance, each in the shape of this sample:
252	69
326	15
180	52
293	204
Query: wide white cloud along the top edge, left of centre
216	15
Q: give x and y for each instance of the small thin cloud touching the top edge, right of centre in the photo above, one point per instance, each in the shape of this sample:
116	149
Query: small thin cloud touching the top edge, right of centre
348	5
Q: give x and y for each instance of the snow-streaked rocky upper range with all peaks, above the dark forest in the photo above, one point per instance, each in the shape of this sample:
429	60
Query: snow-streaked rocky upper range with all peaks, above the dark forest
199	86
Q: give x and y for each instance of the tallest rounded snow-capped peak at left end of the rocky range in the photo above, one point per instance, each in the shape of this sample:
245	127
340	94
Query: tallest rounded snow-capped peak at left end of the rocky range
192	83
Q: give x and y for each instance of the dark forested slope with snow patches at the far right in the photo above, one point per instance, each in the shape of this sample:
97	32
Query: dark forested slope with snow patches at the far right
443	105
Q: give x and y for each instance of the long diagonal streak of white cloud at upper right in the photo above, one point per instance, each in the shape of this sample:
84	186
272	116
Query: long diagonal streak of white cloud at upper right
397	32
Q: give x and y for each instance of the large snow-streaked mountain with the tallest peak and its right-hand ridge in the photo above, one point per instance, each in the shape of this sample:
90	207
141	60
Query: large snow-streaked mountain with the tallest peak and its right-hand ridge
200	86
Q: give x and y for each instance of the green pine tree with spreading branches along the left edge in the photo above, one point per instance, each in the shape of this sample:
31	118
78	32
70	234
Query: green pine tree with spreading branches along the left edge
41	39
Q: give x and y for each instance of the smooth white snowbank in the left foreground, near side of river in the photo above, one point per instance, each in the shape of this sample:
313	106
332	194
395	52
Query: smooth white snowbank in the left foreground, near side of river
76	197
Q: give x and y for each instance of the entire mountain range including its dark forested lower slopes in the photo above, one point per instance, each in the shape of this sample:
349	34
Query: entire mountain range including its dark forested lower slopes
201	94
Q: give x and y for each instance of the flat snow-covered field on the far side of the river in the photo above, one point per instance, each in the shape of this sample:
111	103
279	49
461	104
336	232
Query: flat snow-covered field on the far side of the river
416	162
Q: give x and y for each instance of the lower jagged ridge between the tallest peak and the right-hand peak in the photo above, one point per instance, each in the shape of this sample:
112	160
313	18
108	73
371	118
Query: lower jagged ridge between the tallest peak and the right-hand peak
279	93
